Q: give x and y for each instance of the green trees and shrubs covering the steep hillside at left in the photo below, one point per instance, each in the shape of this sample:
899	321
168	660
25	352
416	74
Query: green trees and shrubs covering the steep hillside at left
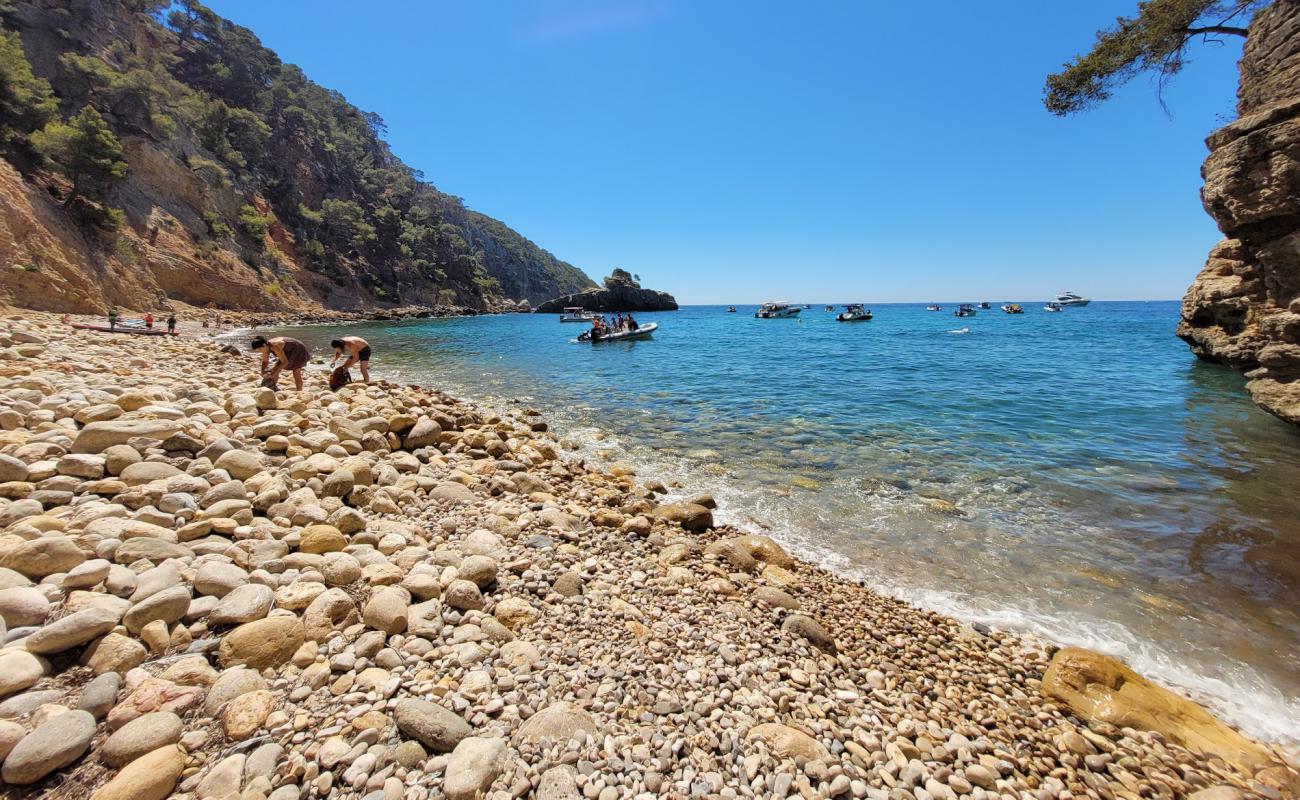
314	183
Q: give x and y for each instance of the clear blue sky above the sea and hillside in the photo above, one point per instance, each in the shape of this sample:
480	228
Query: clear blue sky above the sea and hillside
821	152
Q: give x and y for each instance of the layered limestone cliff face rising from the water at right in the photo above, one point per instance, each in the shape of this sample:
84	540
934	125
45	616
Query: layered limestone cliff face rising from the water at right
1243	310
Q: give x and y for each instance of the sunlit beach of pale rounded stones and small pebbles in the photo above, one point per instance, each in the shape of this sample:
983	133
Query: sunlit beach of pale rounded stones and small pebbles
593	652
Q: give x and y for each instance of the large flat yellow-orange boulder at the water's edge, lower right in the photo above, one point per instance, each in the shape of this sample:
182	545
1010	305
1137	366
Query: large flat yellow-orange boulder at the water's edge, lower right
1100	689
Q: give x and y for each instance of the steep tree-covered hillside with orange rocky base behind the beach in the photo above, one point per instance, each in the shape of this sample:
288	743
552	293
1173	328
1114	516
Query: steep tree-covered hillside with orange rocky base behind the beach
246	185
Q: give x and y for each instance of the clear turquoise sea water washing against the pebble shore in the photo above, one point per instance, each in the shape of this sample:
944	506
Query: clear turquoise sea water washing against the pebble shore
1115	492
